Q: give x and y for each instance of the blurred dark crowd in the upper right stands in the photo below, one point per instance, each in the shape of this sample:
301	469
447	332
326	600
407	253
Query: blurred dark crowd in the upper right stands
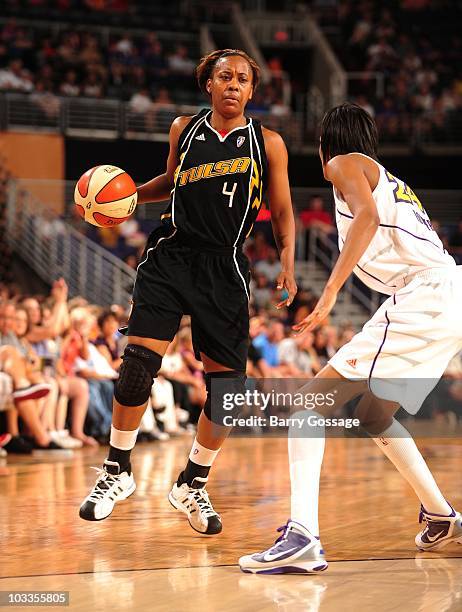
419	57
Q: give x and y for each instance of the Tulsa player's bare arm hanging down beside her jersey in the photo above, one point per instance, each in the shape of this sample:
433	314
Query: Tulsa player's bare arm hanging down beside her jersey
282	215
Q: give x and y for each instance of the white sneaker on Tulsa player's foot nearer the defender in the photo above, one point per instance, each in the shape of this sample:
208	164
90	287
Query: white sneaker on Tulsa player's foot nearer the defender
195	503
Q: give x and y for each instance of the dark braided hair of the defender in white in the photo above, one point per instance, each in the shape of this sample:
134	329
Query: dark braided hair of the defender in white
348	128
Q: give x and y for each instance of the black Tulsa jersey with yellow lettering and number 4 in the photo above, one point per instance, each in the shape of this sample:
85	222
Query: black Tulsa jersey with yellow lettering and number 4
220	182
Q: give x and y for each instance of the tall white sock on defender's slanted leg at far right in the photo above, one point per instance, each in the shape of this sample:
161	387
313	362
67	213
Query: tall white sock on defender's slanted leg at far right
397	444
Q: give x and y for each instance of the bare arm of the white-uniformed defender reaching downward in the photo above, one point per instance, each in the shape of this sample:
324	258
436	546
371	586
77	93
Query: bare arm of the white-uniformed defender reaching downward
348	177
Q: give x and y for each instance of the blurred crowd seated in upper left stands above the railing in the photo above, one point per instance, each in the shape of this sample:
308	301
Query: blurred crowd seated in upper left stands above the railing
75	63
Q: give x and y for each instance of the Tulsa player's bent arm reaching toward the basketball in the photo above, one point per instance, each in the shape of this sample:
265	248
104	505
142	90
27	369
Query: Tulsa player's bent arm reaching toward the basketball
159	188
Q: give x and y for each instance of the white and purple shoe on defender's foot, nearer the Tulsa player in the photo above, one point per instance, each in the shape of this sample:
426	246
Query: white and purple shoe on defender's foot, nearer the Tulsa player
296	551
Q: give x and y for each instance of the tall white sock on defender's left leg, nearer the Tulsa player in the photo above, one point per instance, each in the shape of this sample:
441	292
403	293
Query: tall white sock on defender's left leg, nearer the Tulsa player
305	459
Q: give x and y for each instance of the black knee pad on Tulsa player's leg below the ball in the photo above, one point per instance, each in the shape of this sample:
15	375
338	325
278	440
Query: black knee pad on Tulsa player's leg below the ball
137	372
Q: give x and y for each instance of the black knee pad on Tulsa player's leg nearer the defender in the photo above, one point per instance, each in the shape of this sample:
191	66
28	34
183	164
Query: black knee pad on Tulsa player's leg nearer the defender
222	389
